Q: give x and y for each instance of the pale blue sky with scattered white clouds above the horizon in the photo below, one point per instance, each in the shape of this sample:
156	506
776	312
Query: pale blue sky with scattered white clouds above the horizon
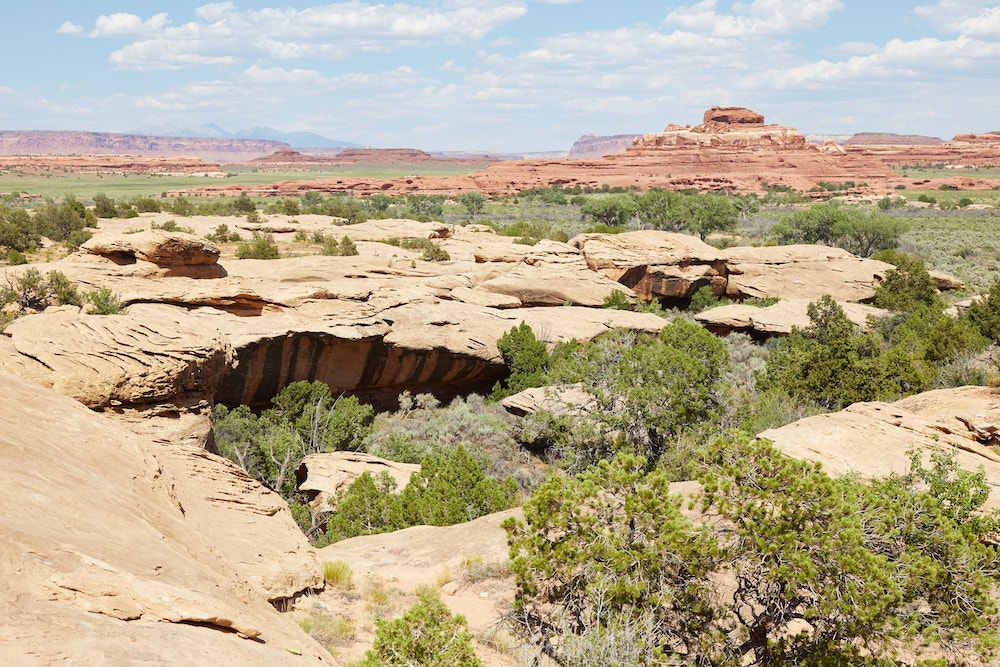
500	75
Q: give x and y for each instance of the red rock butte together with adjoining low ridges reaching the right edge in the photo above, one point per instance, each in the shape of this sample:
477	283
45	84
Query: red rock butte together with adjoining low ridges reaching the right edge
732	150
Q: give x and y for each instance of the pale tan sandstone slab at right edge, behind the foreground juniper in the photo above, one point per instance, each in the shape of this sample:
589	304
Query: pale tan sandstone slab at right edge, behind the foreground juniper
872	439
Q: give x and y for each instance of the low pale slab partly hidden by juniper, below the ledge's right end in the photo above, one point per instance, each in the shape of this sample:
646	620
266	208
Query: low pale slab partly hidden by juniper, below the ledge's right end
777	319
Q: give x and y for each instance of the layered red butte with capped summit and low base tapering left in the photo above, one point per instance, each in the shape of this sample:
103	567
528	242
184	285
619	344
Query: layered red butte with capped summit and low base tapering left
733	150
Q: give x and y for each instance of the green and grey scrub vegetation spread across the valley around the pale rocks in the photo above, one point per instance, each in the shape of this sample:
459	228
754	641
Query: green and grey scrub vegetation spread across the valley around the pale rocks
771	561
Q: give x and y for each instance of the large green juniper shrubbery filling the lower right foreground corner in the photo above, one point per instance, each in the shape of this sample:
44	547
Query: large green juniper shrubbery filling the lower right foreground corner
609	556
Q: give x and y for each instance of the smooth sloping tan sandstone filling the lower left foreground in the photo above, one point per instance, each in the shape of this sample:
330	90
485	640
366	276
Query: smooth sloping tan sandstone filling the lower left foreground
105	556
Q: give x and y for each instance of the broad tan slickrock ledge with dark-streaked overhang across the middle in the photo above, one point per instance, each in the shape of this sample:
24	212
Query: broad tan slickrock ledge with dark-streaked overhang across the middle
203	327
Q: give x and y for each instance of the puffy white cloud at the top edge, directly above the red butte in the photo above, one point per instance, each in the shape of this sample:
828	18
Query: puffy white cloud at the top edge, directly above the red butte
760	17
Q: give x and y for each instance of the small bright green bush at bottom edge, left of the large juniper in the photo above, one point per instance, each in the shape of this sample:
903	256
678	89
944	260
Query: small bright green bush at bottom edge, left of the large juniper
426	635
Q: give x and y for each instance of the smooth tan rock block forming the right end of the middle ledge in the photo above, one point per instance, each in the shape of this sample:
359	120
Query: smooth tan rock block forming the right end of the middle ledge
801	272
